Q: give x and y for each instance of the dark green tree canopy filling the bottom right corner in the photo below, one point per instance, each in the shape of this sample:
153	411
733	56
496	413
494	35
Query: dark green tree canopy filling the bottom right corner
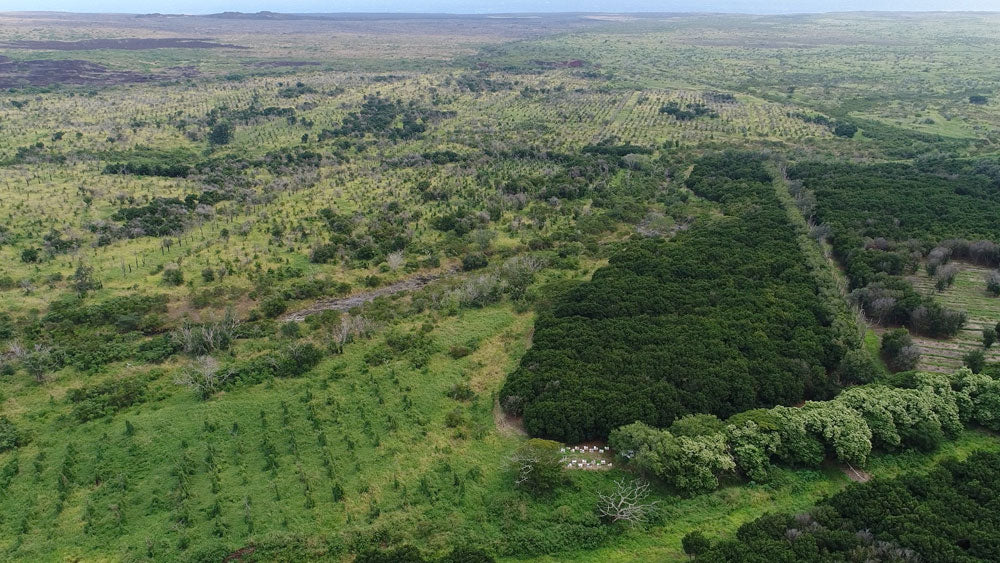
949	514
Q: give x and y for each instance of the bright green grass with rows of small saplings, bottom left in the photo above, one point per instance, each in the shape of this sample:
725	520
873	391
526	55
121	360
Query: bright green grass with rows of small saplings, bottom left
378	462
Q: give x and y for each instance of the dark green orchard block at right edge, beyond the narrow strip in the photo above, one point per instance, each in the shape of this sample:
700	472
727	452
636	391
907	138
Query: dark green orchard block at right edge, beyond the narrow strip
886	218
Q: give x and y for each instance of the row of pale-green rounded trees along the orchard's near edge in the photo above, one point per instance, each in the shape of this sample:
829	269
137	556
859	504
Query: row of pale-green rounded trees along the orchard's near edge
919	413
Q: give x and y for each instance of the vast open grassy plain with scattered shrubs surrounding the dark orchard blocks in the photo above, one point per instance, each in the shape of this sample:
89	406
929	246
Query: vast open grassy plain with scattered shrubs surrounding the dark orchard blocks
545	145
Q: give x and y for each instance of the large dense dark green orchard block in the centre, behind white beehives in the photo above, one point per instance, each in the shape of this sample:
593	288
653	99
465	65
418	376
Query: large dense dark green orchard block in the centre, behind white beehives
724	318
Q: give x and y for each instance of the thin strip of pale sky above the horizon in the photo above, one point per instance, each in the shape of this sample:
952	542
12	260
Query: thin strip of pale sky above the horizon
493	6
